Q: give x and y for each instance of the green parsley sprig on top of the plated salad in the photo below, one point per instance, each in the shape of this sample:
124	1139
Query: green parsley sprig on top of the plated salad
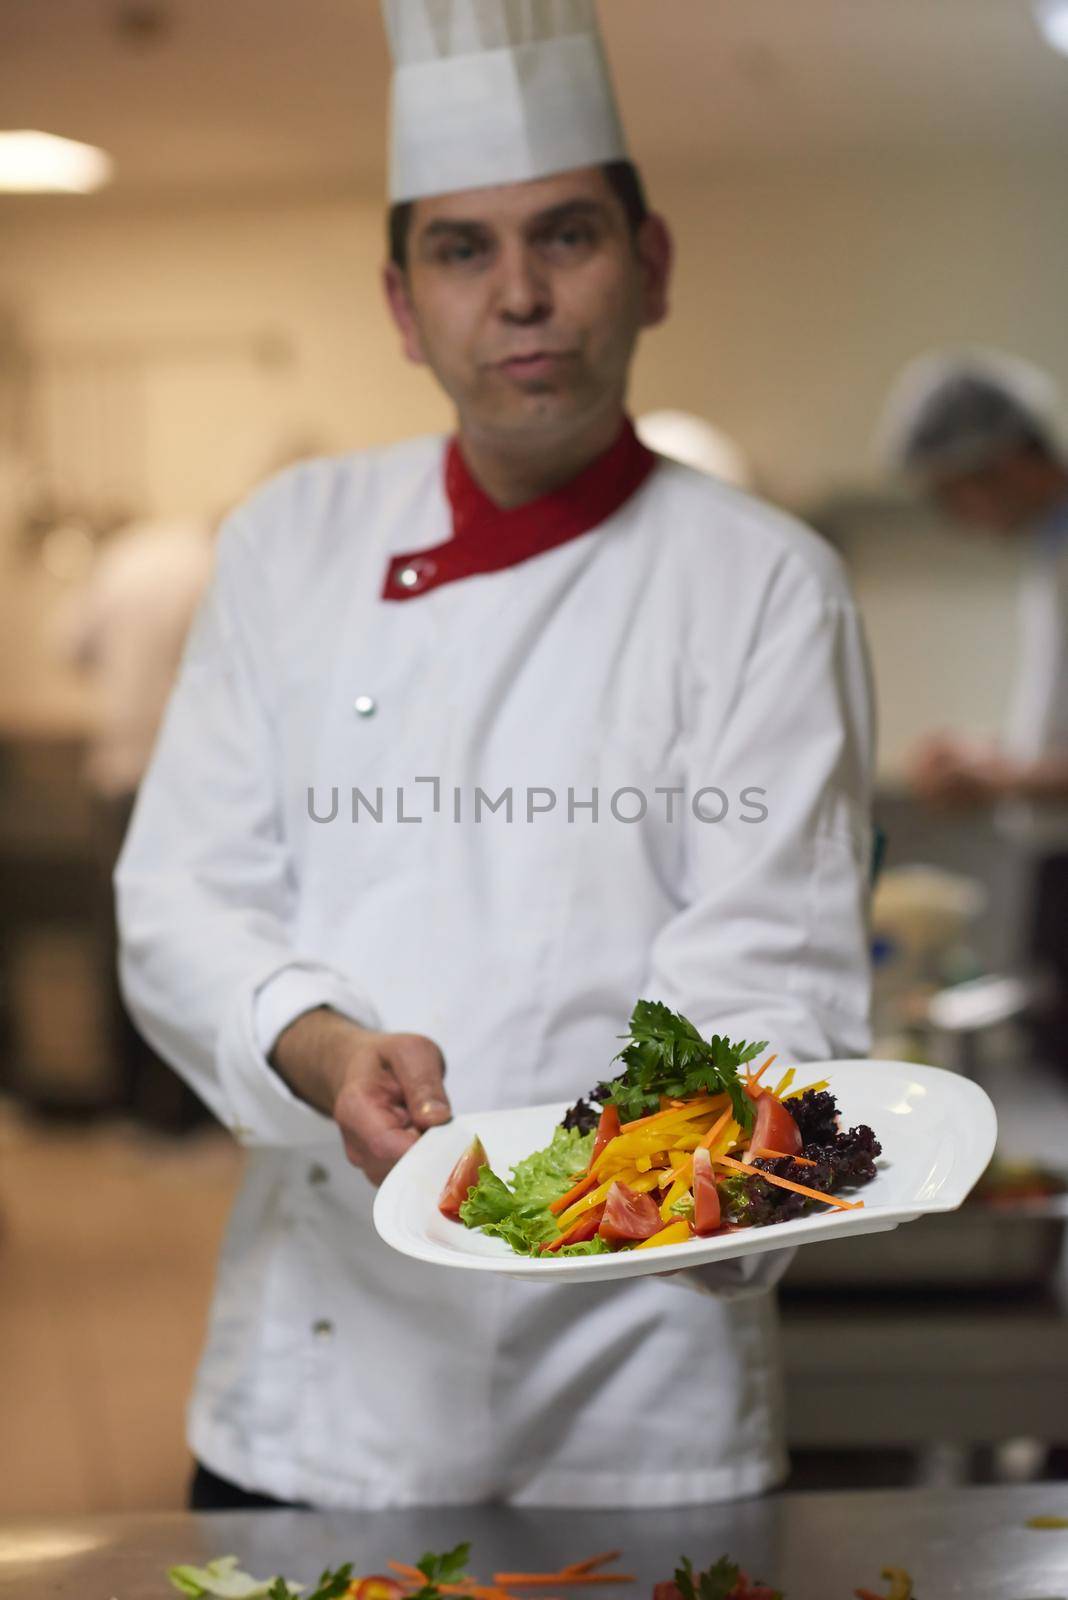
666	1055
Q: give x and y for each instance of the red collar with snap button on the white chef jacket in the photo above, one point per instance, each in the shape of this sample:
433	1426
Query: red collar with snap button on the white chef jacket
488	538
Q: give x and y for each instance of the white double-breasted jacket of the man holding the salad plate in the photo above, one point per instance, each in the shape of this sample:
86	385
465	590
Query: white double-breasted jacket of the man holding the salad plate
696	639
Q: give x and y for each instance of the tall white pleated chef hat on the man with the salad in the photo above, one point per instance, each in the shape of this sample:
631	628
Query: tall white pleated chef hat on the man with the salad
496	92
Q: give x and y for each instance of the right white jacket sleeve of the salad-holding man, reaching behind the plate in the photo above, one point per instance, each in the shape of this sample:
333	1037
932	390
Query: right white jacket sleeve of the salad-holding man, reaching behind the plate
773	942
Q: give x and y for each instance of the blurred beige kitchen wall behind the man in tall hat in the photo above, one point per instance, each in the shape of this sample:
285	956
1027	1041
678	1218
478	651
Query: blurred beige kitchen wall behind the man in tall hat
197	343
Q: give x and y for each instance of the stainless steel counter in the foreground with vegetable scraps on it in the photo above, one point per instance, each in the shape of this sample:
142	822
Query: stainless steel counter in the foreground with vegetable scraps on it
963	1543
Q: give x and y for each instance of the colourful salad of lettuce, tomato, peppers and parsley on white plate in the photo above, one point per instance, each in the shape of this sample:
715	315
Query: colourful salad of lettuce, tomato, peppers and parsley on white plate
688	1142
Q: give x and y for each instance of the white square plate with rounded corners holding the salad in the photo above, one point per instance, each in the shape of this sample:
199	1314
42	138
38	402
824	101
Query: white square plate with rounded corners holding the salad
938	1134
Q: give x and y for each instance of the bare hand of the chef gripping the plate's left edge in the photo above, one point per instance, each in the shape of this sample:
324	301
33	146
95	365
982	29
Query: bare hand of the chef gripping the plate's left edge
383	1090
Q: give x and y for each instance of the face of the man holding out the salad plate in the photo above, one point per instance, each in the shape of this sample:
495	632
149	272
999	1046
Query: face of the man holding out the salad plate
527	302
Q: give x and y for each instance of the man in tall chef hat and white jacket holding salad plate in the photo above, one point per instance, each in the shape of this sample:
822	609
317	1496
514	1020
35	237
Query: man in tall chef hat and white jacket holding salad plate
477	742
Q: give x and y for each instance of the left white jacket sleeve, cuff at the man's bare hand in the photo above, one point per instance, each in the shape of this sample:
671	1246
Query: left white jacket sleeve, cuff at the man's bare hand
205	884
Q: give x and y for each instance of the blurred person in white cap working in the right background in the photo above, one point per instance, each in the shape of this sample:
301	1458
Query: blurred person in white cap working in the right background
979	433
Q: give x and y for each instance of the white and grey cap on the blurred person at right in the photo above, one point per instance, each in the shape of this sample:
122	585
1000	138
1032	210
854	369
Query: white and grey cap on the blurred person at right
955	410
